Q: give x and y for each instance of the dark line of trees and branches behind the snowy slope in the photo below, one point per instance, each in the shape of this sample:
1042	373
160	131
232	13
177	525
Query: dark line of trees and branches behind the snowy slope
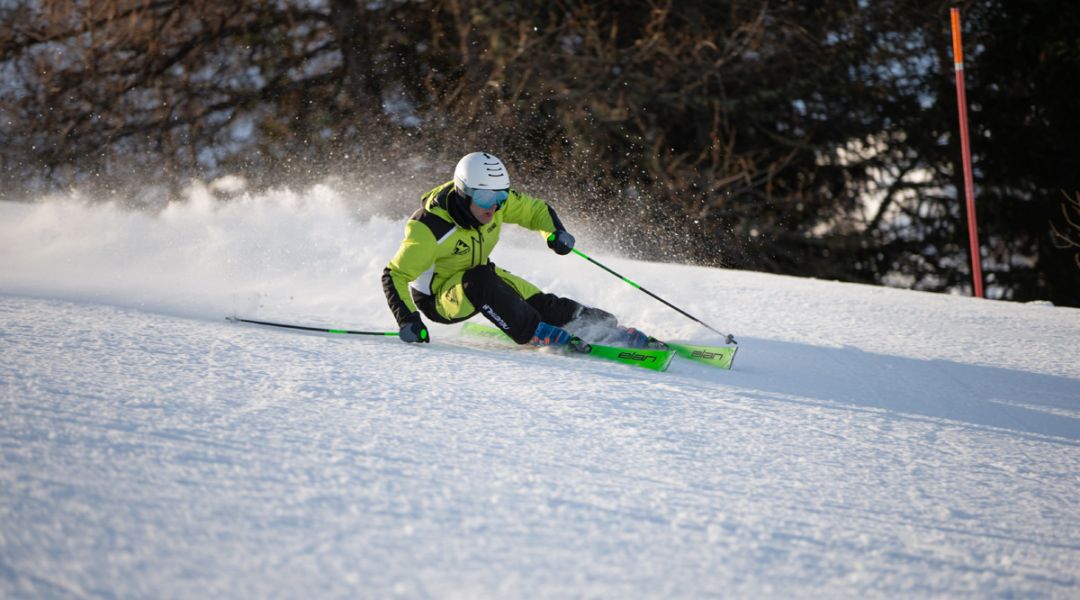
805	138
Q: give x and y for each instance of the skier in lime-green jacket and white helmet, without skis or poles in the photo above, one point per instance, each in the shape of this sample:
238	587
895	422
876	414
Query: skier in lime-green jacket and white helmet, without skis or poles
442	268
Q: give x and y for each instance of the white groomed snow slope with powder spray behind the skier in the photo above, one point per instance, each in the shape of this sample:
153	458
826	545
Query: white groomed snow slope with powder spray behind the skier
869	443
